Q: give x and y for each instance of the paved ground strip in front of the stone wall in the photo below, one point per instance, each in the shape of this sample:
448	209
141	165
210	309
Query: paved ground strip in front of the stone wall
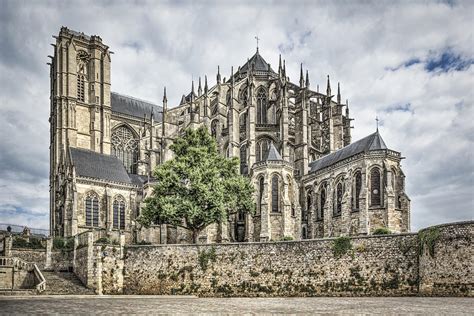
179	304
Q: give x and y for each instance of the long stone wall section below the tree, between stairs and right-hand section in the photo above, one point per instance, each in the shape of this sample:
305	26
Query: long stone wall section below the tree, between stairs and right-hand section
383	265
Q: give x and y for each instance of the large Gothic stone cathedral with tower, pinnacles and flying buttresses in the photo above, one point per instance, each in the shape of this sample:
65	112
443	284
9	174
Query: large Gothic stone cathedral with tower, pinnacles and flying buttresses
294	143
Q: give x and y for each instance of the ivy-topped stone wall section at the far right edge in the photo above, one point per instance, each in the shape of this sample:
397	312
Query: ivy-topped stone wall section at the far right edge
446	260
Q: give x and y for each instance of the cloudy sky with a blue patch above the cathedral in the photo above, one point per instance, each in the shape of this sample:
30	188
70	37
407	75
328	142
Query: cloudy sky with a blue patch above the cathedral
409	63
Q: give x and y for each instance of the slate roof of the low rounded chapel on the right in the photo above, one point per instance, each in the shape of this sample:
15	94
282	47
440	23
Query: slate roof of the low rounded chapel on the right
372	142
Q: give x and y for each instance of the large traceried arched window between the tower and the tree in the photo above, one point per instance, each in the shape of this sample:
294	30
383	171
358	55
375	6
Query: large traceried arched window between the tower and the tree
125	148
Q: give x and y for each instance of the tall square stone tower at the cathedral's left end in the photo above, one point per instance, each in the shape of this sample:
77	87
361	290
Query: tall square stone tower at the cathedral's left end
80	111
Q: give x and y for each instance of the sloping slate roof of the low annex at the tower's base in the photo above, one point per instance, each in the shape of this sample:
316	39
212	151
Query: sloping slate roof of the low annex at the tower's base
99	166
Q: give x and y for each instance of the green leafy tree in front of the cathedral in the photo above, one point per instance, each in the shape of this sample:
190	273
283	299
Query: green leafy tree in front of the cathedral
198	187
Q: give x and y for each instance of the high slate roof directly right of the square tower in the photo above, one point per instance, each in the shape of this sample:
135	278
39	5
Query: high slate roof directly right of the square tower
135	107
